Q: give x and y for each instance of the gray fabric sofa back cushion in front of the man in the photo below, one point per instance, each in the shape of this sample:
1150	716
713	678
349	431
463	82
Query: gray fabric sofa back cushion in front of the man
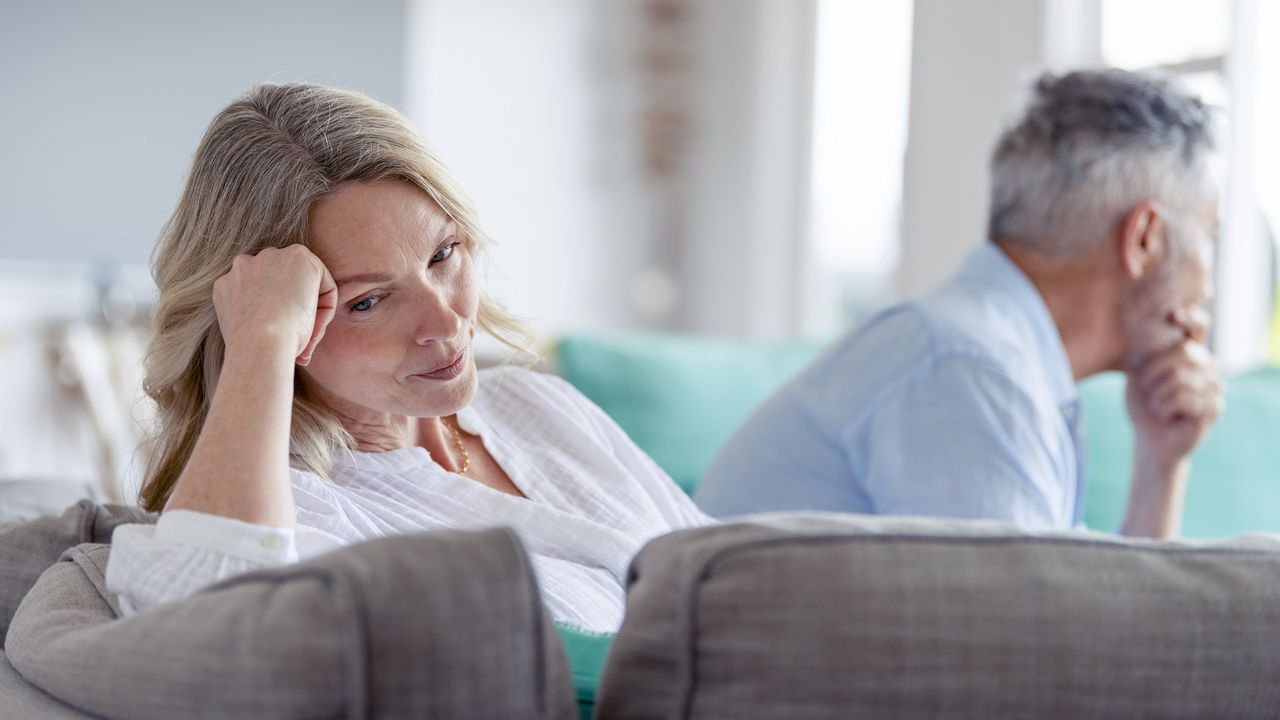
847	617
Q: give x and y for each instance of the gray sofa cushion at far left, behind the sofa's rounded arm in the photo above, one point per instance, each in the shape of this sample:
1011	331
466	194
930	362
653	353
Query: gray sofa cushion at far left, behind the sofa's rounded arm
29	549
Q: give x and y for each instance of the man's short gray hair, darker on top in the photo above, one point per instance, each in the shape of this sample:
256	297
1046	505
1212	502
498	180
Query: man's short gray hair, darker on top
1091	147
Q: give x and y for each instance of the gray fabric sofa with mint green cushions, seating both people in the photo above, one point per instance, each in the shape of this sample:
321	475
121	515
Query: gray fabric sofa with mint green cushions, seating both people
797	616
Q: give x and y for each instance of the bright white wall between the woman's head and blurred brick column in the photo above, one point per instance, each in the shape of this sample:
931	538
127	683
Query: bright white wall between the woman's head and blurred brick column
520	101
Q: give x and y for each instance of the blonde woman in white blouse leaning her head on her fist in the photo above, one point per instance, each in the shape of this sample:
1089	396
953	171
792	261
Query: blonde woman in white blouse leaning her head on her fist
314	373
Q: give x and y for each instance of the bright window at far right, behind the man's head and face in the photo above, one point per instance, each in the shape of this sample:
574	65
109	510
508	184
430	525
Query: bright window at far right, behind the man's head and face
1214	47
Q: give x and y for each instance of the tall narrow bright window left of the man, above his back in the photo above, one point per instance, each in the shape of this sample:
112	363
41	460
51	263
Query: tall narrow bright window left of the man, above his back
860	136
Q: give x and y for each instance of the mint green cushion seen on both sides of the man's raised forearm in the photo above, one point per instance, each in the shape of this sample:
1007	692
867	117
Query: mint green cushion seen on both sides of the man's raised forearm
1236	472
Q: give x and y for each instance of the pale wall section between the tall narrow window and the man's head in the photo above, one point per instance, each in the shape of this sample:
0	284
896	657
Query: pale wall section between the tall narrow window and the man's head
971	66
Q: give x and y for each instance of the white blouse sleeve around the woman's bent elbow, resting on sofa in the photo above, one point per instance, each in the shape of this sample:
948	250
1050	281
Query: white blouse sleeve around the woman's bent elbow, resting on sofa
188	552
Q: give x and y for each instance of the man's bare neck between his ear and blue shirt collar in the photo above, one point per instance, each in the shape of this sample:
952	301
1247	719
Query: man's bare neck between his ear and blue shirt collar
1078	298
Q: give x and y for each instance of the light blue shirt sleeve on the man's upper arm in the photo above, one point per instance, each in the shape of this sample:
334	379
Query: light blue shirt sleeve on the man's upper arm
963	440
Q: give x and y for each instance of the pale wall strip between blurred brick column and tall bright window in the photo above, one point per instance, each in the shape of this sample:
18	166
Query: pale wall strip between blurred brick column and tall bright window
749	184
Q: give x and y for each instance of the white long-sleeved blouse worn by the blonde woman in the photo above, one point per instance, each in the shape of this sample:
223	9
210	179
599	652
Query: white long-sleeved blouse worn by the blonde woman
592	500
